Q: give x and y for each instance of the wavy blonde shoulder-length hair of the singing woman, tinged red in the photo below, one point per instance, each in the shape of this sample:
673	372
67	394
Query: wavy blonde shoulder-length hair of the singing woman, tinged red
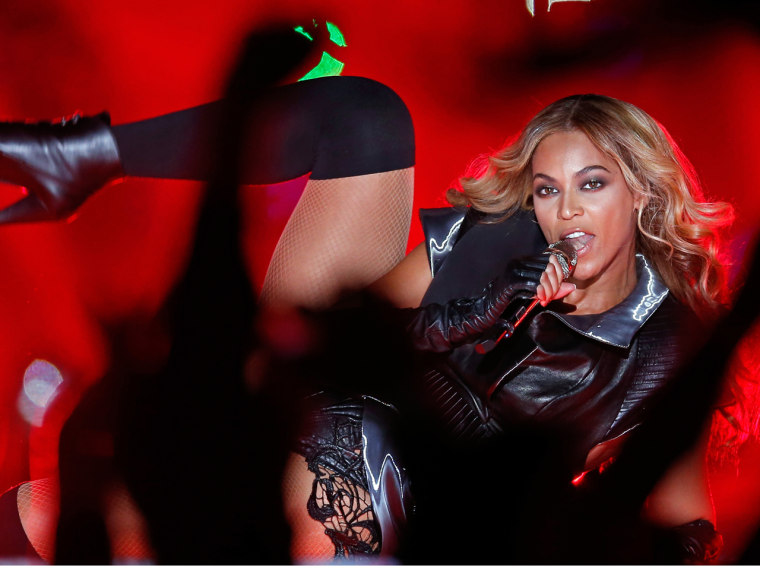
677	229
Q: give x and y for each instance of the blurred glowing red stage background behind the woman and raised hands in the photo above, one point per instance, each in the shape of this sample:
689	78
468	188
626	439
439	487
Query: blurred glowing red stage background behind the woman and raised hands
471	72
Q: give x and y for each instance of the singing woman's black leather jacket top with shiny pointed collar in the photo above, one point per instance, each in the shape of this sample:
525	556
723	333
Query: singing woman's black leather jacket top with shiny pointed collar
589	376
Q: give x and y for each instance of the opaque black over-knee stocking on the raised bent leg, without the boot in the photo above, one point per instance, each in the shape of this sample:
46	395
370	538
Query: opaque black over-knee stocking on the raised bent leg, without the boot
333	127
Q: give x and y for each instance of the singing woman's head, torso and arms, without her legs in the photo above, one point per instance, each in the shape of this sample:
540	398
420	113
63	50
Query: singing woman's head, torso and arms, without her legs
603	177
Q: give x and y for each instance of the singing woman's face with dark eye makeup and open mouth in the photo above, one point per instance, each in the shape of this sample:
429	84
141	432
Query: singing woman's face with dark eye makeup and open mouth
579	194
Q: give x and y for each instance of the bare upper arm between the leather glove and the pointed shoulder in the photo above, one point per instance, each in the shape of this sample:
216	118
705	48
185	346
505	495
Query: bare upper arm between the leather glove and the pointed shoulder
405	284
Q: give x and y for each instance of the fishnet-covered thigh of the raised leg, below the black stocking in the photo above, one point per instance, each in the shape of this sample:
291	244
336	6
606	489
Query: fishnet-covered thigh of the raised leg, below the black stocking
344	233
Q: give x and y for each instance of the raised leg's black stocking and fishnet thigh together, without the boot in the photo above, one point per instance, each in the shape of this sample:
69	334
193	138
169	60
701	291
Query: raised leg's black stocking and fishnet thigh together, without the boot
355	138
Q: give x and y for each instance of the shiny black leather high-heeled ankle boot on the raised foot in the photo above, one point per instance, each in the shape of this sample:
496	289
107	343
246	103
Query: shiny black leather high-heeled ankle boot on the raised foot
61	165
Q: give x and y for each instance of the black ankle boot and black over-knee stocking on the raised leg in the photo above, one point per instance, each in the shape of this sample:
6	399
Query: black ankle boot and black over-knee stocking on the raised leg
332	127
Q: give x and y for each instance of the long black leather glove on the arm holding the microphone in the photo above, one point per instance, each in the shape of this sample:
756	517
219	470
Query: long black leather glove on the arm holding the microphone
440	327
